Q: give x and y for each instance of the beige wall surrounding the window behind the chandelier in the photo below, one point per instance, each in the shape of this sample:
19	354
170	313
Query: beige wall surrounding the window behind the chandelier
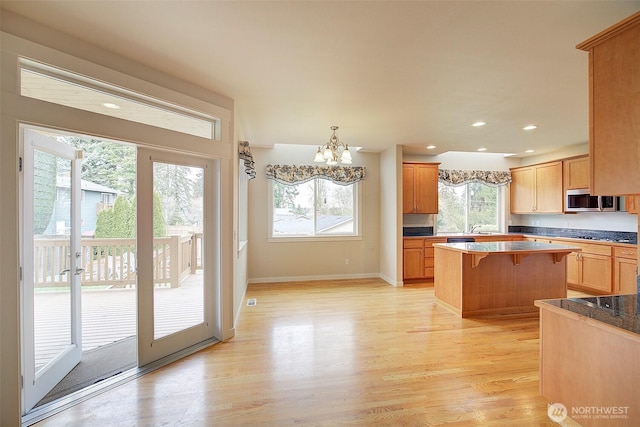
270	261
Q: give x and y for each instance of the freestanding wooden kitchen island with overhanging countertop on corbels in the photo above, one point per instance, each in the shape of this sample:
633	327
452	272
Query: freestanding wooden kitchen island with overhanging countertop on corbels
473	279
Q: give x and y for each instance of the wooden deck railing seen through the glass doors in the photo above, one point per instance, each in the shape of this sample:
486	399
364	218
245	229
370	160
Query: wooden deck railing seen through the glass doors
112	261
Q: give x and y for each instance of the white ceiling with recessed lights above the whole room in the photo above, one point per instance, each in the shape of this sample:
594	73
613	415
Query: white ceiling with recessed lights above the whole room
386	72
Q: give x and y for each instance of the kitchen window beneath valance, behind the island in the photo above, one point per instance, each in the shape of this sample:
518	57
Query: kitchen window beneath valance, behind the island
470	207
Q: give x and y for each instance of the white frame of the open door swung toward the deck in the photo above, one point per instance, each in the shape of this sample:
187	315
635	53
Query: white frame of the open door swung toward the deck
38	383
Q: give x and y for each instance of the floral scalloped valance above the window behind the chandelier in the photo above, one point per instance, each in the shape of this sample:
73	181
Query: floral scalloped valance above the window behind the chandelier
291	174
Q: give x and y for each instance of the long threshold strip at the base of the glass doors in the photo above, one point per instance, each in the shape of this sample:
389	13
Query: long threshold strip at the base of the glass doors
46	410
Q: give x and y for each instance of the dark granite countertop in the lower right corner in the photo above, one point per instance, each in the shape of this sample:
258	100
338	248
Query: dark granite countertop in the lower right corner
621	311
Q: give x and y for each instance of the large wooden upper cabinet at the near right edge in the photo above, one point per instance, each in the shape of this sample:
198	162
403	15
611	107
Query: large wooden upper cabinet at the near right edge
614	113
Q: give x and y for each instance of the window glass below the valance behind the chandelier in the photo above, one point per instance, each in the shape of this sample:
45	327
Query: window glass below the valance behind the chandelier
318	207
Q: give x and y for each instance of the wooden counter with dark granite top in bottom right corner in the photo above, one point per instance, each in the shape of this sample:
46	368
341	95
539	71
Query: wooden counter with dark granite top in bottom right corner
589	353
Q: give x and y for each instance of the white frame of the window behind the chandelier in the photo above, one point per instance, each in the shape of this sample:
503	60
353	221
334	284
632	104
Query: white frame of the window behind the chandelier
357	217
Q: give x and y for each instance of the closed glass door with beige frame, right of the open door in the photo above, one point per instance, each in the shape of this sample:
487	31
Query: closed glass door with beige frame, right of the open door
176	274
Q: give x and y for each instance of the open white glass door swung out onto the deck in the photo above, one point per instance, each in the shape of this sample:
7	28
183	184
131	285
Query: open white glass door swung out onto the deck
51	262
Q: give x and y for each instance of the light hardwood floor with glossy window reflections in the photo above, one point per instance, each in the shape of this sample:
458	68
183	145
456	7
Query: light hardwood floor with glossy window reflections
356	352
